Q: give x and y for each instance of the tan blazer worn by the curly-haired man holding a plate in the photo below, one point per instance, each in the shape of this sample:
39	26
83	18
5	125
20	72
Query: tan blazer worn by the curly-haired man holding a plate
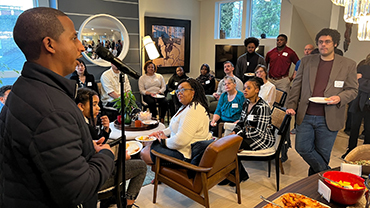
342	82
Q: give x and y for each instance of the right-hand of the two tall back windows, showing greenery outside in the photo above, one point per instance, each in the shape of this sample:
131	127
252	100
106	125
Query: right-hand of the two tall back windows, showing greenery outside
265	18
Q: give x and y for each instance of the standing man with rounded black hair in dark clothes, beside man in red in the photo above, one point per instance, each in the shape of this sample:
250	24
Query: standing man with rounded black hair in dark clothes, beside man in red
248	62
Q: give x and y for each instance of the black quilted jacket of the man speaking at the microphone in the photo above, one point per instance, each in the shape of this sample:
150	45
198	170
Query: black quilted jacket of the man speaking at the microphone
47	158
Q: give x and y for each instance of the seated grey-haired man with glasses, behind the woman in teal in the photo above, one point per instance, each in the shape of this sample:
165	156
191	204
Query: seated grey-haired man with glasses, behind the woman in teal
229	71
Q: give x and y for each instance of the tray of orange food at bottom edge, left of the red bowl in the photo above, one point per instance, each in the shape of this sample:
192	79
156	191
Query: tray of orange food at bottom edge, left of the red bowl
296	200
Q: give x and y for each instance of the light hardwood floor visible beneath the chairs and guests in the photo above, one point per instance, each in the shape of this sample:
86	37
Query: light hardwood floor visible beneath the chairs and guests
258	183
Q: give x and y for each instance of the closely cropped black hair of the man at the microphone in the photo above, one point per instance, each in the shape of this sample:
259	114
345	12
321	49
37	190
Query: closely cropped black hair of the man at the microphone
33	26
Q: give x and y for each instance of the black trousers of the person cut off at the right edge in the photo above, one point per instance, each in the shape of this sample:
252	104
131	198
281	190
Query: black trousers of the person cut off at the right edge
355	128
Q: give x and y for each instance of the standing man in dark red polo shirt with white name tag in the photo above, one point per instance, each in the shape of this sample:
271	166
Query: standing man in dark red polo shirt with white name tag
279	60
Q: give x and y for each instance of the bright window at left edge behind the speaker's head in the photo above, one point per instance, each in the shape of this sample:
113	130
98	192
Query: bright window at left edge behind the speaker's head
11	57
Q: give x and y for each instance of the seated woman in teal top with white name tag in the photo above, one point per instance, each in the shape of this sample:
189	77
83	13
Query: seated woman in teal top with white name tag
229	105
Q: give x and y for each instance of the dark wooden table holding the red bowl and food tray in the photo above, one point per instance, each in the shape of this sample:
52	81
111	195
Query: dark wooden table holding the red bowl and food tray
308	187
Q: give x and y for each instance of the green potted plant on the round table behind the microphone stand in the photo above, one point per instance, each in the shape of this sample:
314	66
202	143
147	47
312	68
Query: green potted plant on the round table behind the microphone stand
129	107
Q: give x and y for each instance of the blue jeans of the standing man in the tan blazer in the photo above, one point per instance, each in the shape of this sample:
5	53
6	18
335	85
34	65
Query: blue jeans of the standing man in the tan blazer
314	142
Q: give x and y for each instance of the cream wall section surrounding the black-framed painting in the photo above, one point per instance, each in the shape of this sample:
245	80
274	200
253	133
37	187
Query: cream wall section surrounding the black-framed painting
176	9
